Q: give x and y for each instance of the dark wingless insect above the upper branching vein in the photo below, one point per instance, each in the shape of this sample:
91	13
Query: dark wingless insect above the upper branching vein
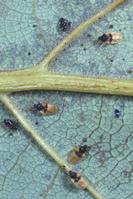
63	25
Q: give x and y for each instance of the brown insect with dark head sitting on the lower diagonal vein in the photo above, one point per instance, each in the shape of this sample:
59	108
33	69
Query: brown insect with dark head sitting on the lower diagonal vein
78	180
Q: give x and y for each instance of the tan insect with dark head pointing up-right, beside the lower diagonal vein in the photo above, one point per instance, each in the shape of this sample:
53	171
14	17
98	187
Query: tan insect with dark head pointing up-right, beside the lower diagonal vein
78	154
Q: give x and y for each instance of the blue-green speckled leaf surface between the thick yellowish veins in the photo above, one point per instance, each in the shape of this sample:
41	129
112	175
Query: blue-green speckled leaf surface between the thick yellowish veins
28	31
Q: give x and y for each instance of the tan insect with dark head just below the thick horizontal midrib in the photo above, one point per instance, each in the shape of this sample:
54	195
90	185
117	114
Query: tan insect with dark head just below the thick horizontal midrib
45	108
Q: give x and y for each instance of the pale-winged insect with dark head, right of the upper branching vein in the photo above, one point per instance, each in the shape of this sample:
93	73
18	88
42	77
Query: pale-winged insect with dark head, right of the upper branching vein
110	38
